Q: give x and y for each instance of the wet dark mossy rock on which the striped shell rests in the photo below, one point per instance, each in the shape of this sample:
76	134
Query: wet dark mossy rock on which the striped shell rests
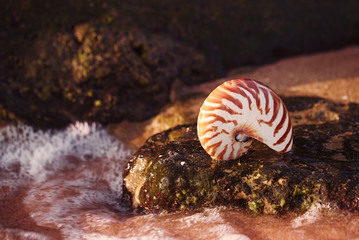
172	171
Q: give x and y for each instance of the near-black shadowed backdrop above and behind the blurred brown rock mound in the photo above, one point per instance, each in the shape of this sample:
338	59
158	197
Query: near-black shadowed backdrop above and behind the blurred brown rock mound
232	33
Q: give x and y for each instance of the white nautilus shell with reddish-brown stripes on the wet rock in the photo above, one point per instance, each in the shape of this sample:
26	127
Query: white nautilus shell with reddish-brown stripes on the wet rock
238	111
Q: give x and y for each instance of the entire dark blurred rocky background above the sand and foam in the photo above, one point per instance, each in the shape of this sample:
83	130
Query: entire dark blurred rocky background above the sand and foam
107	61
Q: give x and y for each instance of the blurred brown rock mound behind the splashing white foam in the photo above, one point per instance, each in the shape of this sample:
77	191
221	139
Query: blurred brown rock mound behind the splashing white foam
99	73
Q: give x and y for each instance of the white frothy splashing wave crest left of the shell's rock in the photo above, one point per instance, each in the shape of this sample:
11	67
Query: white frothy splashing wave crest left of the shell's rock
41	154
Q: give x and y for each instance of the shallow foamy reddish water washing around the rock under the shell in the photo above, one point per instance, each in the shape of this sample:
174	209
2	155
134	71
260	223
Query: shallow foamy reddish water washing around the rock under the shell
67	185
